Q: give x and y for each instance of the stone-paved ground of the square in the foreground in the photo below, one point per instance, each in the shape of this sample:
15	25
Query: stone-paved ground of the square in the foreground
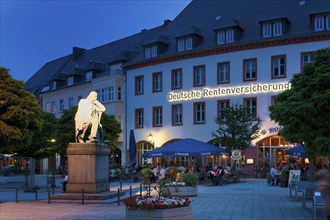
251	200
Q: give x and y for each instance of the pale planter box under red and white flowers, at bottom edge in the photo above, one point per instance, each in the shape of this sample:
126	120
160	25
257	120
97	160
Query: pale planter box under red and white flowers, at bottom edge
183	213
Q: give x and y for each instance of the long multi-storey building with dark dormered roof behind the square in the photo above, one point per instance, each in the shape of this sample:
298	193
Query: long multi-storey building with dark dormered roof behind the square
174	80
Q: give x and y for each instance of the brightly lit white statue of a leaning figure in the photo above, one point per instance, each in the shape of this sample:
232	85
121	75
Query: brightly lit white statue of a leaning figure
89	113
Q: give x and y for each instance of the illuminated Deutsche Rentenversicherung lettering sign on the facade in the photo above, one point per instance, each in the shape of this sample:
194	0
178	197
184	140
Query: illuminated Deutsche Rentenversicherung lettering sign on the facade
228	91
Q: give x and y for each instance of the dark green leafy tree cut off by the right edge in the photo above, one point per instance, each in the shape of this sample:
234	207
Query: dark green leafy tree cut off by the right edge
304	110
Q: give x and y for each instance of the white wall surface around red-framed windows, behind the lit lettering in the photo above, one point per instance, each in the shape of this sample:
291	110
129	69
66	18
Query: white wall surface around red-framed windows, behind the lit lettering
203	132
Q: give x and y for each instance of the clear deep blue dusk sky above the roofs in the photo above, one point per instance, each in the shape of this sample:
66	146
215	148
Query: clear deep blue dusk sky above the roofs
36	32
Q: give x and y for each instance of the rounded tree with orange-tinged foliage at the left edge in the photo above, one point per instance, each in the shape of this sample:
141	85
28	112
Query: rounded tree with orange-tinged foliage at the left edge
19	111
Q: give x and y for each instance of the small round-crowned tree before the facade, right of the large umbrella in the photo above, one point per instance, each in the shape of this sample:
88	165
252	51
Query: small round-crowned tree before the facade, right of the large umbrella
237	127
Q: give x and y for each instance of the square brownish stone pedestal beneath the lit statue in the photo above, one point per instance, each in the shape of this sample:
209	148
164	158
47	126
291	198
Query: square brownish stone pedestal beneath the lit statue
88	168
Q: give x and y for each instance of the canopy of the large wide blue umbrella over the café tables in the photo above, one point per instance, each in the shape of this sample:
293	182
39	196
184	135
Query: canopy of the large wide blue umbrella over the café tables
185	148
